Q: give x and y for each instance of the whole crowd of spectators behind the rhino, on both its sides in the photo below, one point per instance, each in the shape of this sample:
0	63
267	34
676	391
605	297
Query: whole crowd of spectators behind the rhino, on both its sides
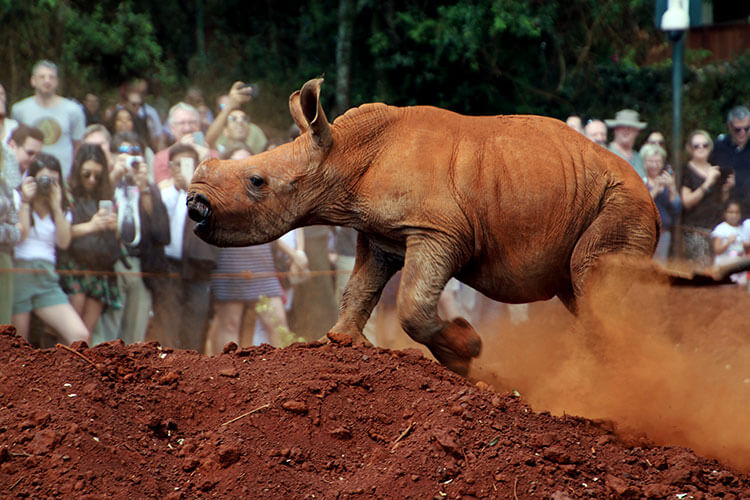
96	245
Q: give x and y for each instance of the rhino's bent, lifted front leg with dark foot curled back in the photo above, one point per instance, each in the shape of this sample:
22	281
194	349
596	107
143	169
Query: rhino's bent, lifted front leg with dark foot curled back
427	269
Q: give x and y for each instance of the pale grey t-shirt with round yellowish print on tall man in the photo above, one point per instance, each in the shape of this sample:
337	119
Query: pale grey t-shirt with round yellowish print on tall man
61	125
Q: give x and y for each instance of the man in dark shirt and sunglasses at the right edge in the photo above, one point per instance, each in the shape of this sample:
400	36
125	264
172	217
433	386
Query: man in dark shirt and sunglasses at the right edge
732	152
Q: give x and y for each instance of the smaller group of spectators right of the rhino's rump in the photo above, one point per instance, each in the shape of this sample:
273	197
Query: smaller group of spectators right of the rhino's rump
715	178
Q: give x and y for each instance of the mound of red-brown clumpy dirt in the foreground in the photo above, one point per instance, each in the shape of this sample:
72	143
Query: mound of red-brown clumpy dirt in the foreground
307	421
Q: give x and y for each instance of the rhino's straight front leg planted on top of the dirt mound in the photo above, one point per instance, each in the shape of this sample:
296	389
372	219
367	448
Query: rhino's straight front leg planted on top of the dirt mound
372	269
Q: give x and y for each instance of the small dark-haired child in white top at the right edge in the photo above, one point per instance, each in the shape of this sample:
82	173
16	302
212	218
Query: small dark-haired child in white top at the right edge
731	239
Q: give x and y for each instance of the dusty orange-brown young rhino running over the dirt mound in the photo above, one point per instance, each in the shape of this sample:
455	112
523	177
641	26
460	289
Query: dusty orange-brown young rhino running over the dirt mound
518	207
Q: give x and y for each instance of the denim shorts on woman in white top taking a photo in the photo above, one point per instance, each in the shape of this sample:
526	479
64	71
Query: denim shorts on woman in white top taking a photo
36	286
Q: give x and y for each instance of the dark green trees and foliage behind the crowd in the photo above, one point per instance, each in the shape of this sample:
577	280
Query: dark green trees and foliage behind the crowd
475	56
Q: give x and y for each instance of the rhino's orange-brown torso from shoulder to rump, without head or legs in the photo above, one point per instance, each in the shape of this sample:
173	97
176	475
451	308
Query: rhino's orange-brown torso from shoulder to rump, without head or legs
517	192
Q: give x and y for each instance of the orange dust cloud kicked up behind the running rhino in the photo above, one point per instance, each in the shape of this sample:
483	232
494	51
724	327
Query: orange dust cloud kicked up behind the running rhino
672	364
